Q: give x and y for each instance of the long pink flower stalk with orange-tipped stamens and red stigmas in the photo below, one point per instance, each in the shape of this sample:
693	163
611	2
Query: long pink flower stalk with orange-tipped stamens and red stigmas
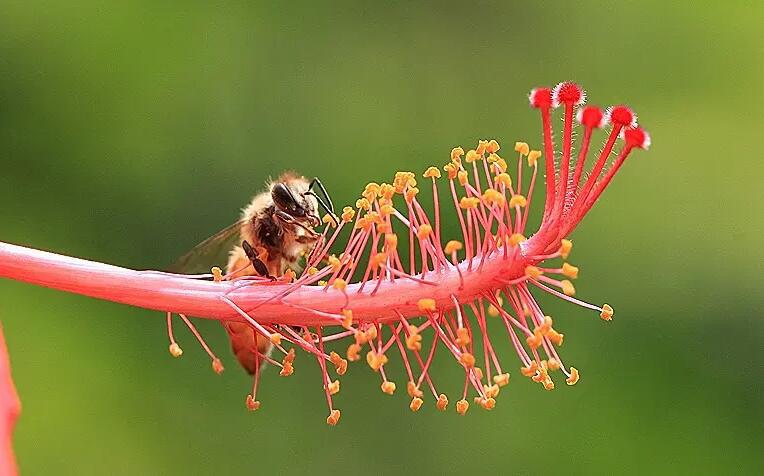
381	299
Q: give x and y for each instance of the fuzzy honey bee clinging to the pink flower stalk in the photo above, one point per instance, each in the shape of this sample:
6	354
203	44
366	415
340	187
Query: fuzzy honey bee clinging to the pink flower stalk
276	229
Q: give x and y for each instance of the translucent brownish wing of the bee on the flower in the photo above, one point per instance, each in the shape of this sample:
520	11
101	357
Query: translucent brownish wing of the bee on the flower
211	252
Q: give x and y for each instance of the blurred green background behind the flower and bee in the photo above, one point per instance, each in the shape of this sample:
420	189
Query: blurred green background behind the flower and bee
128	132
